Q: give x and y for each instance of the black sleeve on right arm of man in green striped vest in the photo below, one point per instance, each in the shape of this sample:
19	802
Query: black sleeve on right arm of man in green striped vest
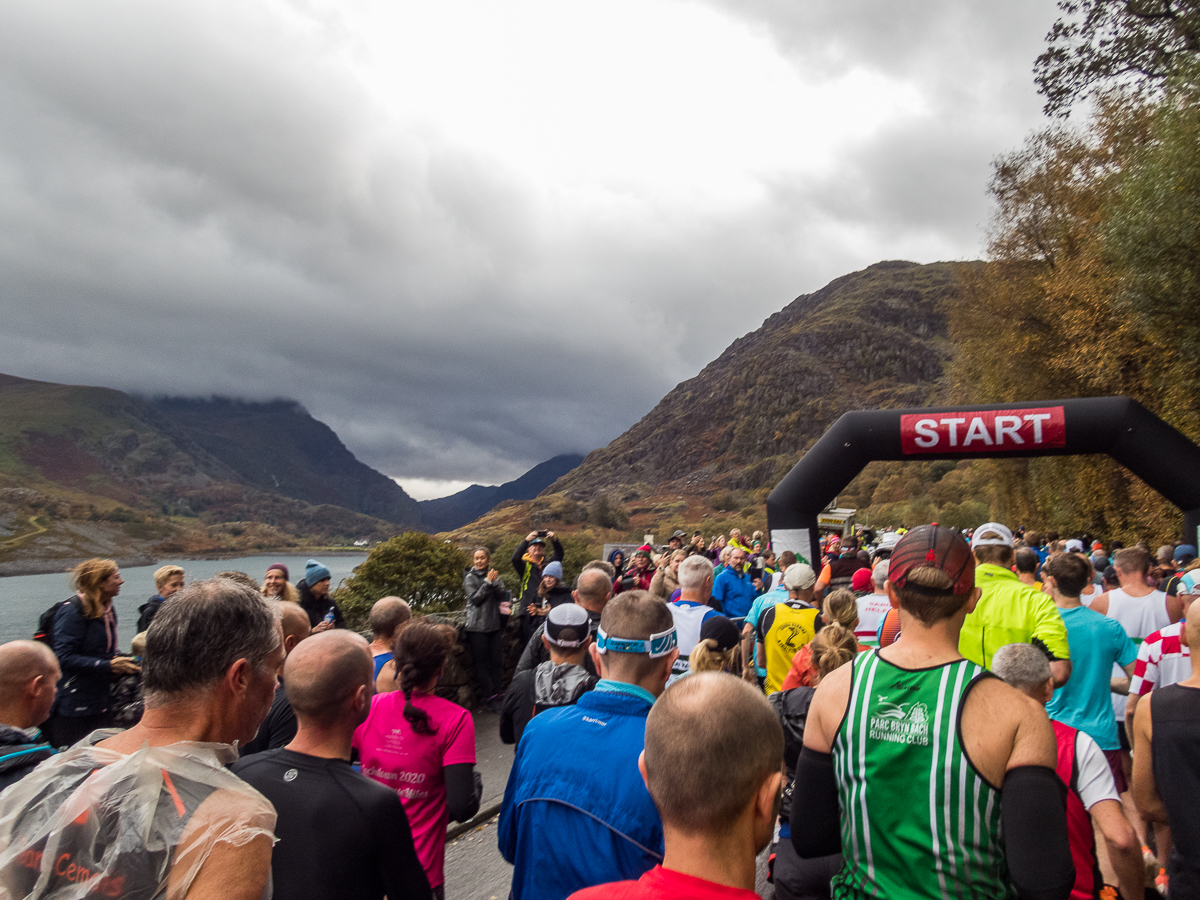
1034	811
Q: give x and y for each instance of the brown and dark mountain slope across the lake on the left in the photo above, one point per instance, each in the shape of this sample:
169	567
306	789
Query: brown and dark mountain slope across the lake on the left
95	472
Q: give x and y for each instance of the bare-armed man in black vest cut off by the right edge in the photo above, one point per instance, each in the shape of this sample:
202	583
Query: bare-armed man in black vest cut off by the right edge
1167	766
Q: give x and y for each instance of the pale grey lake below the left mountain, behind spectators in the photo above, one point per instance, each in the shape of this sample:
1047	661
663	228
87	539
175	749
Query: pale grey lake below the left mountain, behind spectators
26	597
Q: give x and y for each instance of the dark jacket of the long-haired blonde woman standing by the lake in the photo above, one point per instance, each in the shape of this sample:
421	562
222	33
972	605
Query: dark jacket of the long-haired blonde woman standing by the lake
82	649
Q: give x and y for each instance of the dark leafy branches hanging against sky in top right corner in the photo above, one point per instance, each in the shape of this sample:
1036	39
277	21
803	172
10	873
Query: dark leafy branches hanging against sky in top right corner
1100	44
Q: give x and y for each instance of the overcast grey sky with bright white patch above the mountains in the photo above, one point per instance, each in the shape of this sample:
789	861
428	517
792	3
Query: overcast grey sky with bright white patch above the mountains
469	235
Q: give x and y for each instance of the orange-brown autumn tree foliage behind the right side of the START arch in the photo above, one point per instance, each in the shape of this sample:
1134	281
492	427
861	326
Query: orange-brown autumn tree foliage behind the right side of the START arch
1091	283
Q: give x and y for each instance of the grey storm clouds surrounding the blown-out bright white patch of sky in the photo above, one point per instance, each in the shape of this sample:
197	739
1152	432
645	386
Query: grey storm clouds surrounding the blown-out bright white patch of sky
203	199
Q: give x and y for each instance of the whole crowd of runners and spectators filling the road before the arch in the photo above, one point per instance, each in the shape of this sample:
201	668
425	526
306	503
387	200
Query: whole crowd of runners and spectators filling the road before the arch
925	713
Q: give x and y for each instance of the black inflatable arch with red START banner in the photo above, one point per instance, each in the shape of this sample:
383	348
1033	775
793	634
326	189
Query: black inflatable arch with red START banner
1119	427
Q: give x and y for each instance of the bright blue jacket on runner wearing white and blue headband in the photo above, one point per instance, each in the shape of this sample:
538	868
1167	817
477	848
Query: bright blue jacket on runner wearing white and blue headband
577	812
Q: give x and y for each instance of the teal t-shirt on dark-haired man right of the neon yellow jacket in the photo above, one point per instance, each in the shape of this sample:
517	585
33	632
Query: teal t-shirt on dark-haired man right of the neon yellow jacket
1085	703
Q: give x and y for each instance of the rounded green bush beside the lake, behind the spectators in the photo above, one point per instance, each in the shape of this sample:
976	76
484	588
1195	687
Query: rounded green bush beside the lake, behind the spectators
424	572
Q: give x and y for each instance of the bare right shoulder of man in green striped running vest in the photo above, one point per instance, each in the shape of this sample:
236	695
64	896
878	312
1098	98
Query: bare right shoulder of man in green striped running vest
1003	729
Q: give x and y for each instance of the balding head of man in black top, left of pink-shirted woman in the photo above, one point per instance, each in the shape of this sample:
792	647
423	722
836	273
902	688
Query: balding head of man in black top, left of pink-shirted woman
325	673
